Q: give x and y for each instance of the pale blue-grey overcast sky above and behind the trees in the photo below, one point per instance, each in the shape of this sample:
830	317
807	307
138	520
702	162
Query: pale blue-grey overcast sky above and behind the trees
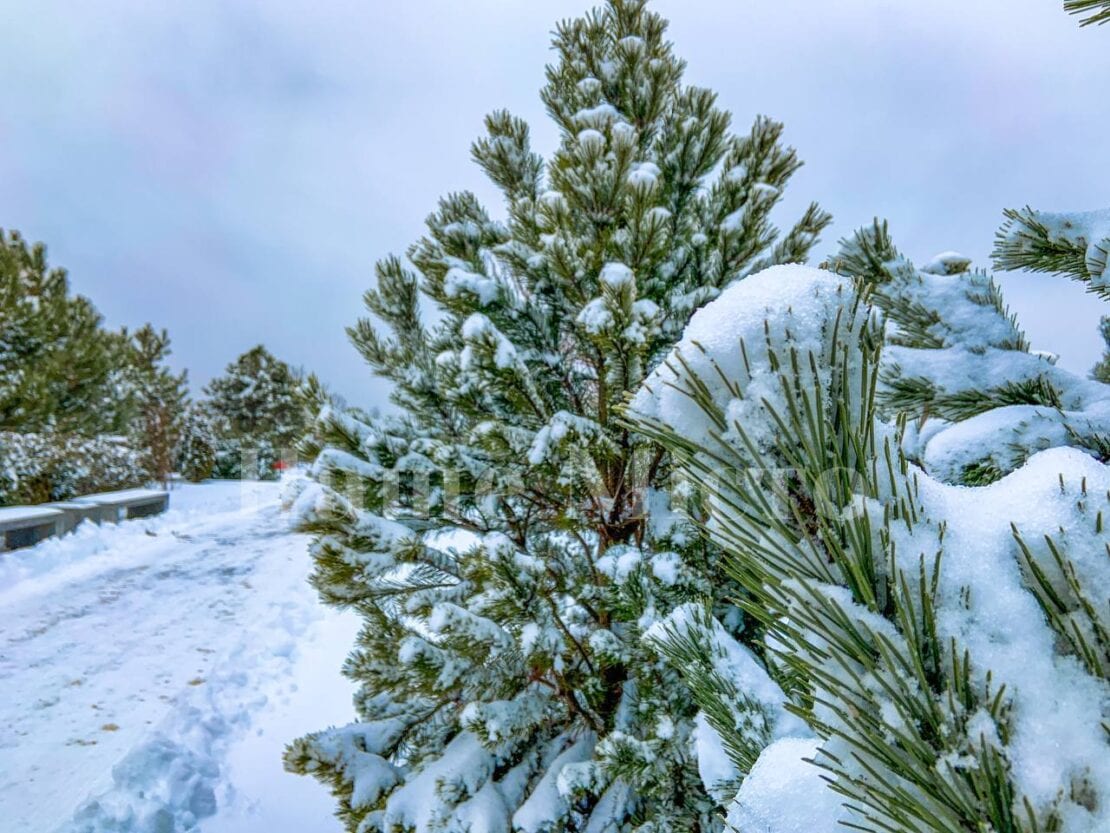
231	170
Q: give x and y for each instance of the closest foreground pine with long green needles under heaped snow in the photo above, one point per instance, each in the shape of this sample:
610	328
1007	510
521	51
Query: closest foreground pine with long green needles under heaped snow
947	648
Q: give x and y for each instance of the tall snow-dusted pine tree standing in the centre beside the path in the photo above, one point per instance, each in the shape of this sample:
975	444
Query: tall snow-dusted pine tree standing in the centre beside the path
506	541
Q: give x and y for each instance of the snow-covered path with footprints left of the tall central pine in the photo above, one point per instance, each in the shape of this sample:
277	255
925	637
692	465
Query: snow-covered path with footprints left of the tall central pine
154	671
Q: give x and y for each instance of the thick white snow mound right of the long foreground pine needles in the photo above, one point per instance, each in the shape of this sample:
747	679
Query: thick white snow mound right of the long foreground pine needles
985	604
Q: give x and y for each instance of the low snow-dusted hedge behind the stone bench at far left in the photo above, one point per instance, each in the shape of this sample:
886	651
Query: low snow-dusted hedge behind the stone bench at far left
51	467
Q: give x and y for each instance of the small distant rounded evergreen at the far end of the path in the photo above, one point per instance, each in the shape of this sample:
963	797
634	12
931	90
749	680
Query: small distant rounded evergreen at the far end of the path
258	415
